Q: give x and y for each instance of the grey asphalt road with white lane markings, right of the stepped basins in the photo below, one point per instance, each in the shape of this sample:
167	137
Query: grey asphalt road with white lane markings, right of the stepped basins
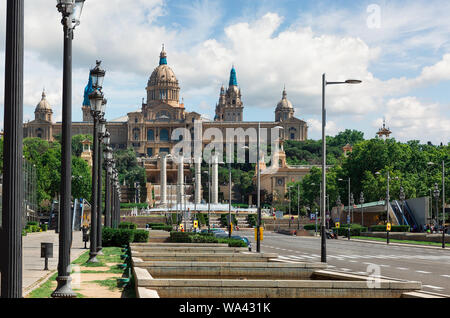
427	265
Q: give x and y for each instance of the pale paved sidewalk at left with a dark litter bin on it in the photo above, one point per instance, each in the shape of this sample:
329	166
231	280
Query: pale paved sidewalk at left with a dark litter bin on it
33	264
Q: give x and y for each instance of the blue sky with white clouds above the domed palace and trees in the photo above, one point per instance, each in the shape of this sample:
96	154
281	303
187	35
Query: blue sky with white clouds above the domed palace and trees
399	49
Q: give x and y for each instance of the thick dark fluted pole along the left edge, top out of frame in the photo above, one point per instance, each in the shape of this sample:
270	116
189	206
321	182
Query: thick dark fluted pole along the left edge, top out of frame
11	222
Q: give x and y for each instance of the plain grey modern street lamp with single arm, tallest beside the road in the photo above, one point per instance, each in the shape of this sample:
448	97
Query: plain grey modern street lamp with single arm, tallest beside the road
324	162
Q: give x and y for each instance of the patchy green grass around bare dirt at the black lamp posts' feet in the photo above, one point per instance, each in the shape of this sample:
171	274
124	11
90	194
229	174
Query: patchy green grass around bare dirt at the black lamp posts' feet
111	256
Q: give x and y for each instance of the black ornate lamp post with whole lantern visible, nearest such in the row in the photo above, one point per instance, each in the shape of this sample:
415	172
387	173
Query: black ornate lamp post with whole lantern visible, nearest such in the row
96	100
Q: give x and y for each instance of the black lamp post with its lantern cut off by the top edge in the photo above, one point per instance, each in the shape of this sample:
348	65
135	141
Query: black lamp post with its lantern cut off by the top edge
71	14
